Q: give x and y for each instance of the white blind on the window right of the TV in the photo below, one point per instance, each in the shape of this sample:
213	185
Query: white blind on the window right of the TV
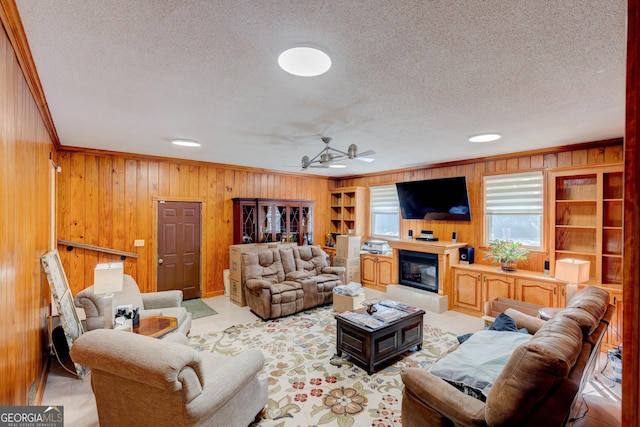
515	194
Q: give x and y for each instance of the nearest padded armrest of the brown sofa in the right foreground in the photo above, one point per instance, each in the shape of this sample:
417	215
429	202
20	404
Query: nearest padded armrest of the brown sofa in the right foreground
443	398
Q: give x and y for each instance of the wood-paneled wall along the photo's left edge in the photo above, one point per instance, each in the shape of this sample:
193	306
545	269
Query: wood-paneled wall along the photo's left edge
25	215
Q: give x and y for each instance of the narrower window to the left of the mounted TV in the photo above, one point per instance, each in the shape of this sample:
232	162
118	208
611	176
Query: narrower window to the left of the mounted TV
385	211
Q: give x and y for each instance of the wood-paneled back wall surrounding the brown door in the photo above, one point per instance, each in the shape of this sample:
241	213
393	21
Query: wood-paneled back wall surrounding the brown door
109	200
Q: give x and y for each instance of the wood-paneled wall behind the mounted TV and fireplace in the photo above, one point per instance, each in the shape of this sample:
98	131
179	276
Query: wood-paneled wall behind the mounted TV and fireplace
471	232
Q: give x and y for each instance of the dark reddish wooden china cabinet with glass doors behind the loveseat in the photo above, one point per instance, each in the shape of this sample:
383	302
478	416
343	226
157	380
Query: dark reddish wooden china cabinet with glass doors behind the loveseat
271	220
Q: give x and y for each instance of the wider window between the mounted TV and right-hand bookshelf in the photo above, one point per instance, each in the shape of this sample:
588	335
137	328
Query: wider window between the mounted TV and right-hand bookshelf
513	208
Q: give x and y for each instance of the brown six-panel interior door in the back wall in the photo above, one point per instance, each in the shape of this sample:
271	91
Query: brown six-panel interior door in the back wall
179	242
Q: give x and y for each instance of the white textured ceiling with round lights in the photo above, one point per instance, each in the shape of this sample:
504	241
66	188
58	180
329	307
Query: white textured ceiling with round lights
411	79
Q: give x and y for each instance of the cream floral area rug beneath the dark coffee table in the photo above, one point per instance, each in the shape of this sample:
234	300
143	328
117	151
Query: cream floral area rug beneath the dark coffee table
305	388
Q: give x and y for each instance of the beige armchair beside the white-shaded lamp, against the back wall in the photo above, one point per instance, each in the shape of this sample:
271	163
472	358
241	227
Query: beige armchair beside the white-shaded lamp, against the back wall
165	303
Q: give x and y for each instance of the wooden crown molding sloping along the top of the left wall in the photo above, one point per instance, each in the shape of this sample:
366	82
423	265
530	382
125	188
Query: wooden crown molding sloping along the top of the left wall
10	18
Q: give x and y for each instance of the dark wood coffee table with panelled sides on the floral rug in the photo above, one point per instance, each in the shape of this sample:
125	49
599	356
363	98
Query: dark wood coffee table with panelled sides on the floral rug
373	348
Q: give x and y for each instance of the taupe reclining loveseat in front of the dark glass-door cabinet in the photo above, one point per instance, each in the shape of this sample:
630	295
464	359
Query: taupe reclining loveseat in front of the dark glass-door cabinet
279	282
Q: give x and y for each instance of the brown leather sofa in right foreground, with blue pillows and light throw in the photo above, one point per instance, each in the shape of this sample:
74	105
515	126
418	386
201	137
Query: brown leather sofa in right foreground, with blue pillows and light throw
540	383
